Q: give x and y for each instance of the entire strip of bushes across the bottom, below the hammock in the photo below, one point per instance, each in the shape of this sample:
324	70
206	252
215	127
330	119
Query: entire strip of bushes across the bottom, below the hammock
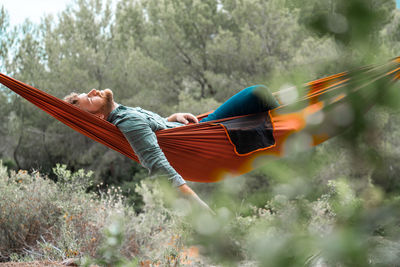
347	224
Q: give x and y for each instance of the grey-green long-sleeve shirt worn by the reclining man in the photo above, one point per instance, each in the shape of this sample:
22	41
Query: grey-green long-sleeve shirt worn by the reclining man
138	126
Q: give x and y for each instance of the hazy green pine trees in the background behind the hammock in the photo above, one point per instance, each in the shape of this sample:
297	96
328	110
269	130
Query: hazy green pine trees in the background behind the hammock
174	55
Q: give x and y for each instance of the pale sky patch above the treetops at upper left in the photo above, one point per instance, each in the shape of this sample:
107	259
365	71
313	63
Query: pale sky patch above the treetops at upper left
19	10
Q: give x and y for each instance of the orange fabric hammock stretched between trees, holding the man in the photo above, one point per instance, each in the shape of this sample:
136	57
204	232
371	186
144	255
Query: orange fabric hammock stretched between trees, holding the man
204	153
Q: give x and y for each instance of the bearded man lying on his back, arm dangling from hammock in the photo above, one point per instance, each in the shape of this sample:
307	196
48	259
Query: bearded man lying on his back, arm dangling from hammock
139	125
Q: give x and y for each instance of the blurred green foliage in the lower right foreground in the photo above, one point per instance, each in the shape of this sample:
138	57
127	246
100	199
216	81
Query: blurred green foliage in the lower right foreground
338	227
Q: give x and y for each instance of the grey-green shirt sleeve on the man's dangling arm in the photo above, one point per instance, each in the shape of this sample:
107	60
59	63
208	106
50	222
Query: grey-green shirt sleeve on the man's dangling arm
144	143
